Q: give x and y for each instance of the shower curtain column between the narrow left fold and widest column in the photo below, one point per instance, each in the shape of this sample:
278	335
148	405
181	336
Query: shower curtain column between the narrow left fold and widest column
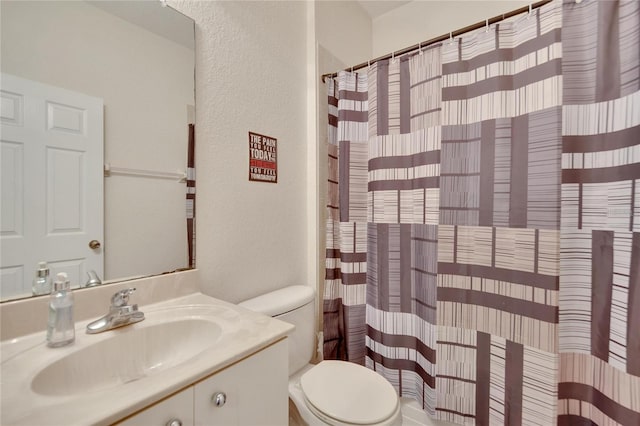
404	158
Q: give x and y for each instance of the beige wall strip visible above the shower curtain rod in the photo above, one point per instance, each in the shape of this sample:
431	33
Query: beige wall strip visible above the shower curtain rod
422	20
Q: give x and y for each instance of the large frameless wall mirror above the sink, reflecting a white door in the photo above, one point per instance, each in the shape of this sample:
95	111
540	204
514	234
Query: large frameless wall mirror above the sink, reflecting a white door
97	99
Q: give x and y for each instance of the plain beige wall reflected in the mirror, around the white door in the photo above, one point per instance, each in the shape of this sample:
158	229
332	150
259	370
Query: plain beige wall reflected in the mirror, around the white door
146	82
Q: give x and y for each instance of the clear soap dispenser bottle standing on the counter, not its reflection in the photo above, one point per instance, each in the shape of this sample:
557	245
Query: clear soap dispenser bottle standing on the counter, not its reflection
61	328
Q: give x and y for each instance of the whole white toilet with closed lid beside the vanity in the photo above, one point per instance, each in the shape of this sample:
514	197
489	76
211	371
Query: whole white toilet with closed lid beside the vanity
331	392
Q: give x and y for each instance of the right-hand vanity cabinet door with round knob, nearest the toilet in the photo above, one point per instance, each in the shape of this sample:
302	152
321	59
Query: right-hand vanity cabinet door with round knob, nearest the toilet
254	390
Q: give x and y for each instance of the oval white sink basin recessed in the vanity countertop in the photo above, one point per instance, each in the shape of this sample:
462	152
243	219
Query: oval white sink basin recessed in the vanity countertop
127	355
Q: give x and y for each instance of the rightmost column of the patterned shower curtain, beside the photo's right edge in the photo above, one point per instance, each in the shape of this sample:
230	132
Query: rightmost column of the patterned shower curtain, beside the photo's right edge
599	331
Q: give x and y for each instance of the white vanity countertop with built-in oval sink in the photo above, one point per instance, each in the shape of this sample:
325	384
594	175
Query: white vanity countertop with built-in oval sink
102	378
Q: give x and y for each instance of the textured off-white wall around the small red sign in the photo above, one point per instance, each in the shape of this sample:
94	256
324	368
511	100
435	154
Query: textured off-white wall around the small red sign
250	76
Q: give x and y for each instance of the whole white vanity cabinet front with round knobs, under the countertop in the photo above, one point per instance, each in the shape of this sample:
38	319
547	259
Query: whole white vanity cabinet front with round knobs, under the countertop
253	391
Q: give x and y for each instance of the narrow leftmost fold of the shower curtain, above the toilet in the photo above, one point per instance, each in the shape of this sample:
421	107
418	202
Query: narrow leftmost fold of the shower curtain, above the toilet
346	226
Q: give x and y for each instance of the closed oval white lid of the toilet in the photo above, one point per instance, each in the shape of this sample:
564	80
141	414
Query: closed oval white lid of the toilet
349	393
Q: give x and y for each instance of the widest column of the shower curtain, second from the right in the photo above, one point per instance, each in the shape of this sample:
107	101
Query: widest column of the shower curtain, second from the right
498	237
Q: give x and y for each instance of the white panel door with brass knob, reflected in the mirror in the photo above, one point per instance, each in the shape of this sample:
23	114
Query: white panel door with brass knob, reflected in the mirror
52	183
